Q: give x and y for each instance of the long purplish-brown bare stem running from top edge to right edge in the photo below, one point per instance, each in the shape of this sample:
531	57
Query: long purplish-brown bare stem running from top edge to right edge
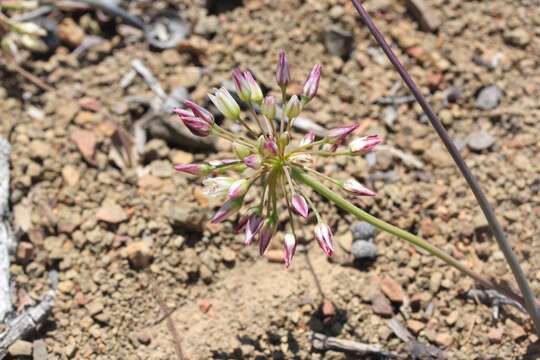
530	302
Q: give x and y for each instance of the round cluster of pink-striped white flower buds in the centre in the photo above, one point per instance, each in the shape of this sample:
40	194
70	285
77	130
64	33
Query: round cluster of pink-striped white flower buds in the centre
266	159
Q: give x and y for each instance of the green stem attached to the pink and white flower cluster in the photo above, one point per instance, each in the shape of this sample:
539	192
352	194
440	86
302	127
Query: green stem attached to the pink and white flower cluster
402	234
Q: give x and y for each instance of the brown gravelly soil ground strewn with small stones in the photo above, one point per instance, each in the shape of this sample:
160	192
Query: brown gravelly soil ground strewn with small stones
124	234
